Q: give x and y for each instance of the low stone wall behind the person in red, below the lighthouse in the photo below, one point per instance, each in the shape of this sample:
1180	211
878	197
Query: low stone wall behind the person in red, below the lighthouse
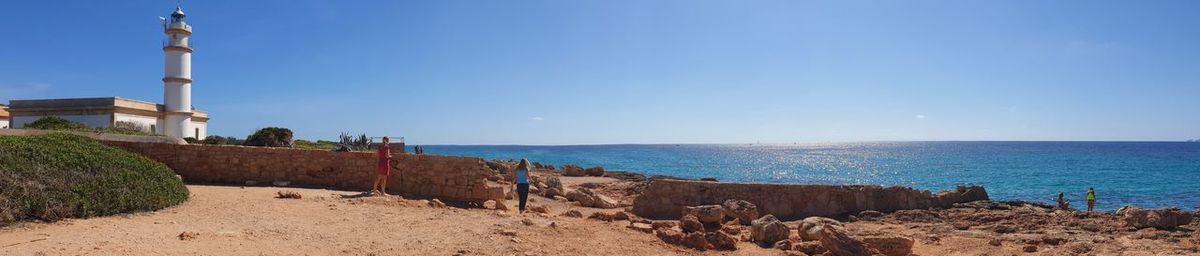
442	177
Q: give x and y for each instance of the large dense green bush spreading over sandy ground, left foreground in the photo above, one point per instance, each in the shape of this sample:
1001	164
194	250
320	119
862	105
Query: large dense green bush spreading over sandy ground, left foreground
59	176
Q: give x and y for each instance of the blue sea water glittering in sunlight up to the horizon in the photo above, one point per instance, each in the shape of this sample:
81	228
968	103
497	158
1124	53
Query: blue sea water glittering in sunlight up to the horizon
1141	174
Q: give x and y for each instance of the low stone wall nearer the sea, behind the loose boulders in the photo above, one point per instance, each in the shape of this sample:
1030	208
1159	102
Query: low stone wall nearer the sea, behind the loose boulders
665	199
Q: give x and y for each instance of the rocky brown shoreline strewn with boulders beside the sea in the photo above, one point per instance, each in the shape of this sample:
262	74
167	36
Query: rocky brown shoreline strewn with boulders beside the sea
962	222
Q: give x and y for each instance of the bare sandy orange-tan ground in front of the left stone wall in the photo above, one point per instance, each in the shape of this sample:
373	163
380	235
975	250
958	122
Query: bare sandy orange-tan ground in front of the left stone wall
231	221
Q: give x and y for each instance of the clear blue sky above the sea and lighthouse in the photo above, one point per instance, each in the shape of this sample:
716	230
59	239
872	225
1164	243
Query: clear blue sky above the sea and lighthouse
584	73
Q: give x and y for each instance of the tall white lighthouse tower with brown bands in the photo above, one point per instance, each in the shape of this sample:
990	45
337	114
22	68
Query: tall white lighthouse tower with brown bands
177	79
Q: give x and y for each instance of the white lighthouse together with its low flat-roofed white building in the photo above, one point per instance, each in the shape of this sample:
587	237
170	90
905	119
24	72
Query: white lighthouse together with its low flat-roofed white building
176	117
